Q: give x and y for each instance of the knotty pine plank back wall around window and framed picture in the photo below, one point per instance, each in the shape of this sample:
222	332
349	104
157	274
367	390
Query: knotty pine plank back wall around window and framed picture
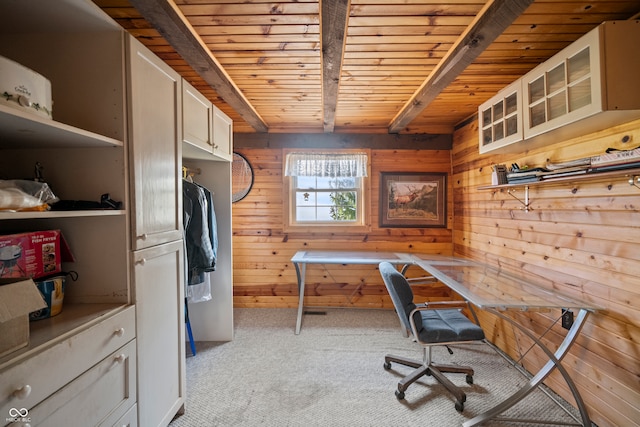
263	273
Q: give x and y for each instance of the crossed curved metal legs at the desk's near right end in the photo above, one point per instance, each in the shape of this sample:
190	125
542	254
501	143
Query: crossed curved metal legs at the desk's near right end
553	363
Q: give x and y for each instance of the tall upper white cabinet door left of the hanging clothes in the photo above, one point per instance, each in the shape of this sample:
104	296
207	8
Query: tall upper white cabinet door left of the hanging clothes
154	100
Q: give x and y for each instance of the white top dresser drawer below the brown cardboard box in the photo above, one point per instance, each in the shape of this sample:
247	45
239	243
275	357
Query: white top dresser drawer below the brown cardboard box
28	383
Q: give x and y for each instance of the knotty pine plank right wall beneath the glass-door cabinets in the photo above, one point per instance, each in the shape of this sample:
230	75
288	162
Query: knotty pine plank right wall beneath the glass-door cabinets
582	239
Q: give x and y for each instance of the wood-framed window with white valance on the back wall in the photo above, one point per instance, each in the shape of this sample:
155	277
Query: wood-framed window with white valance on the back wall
326	190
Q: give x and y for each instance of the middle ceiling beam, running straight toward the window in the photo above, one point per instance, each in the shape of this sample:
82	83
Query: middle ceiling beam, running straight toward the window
333	24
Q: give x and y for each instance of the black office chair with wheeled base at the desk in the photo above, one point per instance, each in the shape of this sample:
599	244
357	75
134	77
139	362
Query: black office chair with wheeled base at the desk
438	323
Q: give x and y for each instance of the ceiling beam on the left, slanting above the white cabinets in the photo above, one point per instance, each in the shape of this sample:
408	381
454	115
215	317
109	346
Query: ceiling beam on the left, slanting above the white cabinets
167	19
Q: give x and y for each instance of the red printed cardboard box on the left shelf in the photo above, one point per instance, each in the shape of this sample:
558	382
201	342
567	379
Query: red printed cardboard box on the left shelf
35	254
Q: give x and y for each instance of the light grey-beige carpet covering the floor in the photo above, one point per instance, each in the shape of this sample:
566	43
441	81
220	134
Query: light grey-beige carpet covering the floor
332	375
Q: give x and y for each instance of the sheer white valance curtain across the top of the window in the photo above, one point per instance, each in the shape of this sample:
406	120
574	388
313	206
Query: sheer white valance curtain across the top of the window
326	165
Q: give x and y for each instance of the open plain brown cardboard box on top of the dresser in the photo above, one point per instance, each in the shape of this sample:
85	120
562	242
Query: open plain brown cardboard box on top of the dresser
18	298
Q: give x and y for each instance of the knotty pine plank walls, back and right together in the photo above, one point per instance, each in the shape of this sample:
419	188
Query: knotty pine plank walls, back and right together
583	239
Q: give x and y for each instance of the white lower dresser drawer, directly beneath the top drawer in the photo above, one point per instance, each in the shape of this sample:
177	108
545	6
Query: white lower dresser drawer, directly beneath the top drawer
99	397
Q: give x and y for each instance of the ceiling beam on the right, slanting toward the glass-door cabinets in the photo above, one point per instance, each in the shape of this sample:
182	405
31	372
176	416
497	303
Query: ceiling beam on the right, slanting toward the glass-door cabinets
490	23
